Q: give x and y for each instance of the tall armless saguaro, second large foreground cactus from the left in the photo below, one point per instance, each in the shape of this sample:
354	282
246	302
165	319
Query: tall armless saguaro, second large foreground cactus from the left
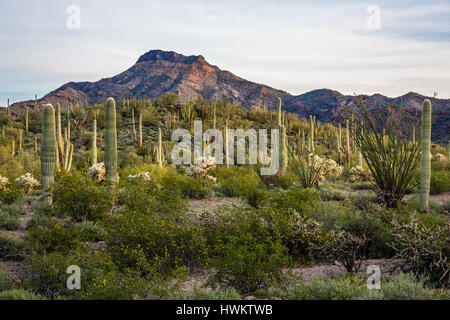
111	142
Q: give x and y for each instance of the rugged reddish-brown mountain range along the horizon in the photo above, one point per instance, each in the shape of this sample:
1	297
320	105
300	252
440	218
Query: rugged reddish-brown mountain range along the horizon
157	72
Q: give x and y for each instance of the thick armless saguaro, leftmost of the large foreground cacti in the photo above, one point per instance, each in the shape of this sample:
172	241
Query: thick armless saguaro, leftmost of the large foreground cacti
48	148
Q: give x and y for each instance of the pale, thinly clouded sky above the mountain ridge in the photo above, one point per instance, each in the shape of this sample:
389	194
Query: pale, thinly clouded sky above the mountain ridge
387	47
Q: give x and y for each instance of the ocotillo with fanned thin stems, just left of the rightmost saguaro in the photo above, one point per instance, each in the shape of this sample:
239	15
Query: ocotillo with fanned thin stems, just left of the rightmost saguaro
391	156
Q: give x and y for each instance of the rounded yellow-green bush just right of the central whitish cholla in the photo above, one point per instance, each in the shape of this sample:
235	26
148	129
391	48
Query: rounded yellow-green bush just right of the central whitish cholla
236	181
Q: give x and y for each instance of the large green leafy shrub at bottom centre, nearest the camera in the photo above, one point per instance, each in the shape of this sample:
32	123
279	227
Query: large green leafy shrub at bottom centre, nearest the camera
246	252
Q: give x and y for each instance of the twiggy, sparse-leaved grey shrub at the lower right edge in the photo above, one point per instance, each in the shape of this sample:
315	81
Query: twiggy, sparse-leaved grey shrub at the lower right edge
422	250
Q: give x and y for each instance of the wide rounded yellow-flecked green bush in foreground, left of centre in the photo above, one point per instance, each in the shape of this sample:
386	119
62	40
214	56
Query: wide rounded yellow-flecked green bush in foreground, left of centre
152	242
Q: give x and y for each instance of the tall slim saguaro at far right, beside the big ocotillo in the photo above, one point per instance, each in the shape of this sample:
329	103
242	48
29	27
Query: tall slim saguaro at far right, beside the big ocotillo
425	157
